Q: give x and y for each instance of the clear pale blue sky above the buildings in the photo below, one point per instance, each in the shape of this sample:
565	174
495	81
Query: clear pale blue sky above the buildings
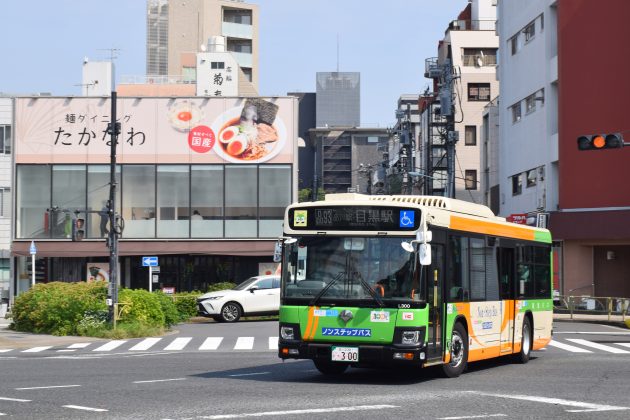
44	43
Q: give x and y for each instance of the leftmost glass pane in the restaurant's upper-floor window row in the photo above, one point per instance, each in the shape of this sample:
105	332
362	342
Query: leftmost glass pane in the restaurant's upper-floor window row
32	200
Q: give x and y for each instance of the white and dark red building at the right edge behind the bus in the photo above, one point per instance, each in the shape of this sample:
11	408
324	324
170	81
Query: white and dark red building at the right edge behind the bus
543	113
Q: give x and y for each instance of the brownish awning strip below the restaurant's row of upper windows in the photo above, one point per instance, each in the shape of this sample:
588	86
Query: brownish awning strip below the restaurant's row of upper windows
130	248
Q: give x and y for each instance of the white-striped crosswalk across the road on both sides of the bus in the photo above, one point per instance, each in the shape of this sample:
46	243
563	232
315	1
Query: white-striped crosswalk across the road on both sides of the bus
267	344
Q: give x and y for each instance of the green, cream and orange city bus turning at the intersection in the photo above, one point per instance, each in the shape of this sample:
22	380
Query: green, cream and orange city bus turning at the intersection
410	281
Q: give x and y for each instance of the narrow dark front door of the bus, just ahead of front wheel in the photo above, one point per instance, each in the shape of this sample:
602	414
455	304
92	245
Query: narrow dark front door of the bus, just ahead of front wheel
434	281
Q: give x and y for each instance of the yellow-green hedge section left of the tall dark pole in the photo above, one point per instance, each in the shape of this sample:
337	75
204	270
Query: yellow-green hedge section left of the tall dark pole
57	308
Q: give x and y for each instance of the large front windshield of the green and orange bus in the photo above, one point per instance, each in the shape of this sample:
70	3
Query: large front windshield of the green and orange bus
365	270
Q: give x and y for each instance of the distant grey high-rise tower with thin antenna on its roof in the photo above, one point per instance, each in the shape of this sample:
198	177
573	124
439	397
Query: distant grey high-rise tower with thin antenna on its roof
338	99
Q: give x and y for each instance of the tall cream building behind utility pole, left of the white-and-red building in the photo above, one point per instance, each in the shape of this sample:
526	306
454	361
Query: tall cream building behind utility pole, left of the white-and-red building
470	46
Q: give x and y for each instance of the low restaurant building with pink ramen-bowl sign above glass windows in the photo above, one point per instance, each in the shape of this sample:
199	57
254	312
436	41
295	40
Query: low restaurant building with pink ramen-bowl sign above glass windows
202	184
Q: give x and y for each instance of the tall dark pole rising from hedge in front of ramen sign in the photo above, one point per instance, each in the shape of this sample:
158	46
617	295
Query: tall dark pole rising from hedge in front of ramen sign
111	205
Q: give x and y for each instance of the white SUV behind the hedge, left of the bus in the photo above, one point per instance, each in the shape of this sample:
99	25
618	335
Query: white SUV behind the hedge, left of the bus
259	295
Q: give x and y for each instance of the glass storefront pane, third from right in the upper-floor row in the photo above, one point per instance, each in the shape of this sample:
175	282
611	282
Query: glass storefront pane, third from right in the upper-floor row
206	201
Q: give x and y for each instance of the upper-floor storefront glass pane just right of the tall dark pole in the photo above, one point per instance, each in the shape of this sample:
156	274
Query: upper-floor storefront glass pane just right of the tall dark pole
138	201
